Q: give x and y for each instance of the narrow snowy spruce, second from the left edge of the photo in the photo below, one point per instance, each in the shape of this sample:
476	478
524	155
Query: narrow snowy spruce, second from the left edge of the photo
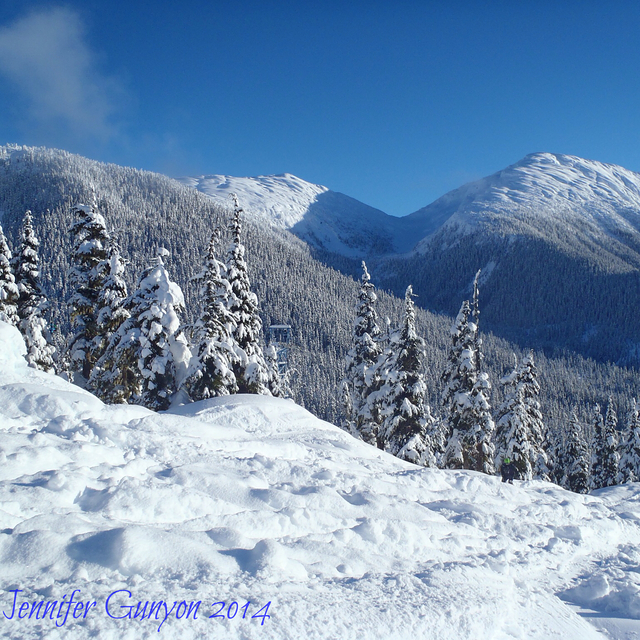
32	302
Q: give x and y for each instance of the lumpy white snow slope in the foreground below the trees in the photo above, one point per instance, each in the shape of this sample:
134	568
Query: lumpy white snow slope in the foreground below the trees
252	499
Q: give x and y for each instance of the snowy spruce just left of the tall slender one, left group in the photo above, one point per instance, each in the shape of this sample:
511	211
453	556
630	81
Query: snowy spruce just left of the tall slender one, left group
215	351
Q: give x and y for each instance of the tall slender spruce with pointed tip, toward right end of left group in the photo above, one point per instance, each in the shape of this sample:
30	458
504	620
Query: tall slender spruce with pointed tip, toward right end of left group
251	371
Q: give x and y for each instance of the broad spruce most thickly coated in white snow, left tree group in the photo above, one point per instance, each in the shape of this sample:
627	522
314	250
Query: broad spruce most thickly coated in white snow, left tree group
150	353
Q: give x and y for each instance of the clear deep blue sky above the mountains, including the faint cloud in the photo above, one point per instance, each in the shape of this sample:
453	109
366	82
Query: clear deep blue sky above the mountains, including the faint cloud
392	103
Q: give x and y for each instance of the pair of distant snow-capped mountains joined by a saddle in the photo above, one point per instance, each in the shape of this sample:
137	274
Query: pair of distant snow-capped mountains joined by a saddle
557	238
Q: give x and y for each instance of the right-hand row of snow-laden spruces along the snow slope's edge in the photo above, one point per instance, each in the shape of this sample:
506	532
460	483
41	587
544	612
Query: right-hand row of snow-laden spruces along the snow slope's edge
384	394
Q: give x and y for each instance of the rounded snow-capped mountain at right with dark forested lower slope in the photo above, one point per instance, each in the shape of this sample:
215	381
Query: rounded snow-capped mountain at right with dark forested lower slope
558	239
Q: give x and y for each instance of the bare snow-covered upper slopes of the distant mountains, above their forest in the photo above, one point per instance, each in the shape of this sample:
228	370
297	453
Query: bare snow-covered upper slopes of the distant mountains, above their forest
597	198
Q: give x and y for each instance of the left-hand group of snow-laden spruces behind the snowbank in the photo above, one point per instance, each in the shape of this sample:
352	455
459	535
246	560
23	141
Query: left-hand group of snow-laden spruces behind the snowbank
134	347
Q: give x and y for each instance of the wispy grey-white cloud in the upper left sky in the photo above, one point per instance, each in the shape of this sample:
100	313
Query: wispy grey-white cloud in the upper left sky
47	57
